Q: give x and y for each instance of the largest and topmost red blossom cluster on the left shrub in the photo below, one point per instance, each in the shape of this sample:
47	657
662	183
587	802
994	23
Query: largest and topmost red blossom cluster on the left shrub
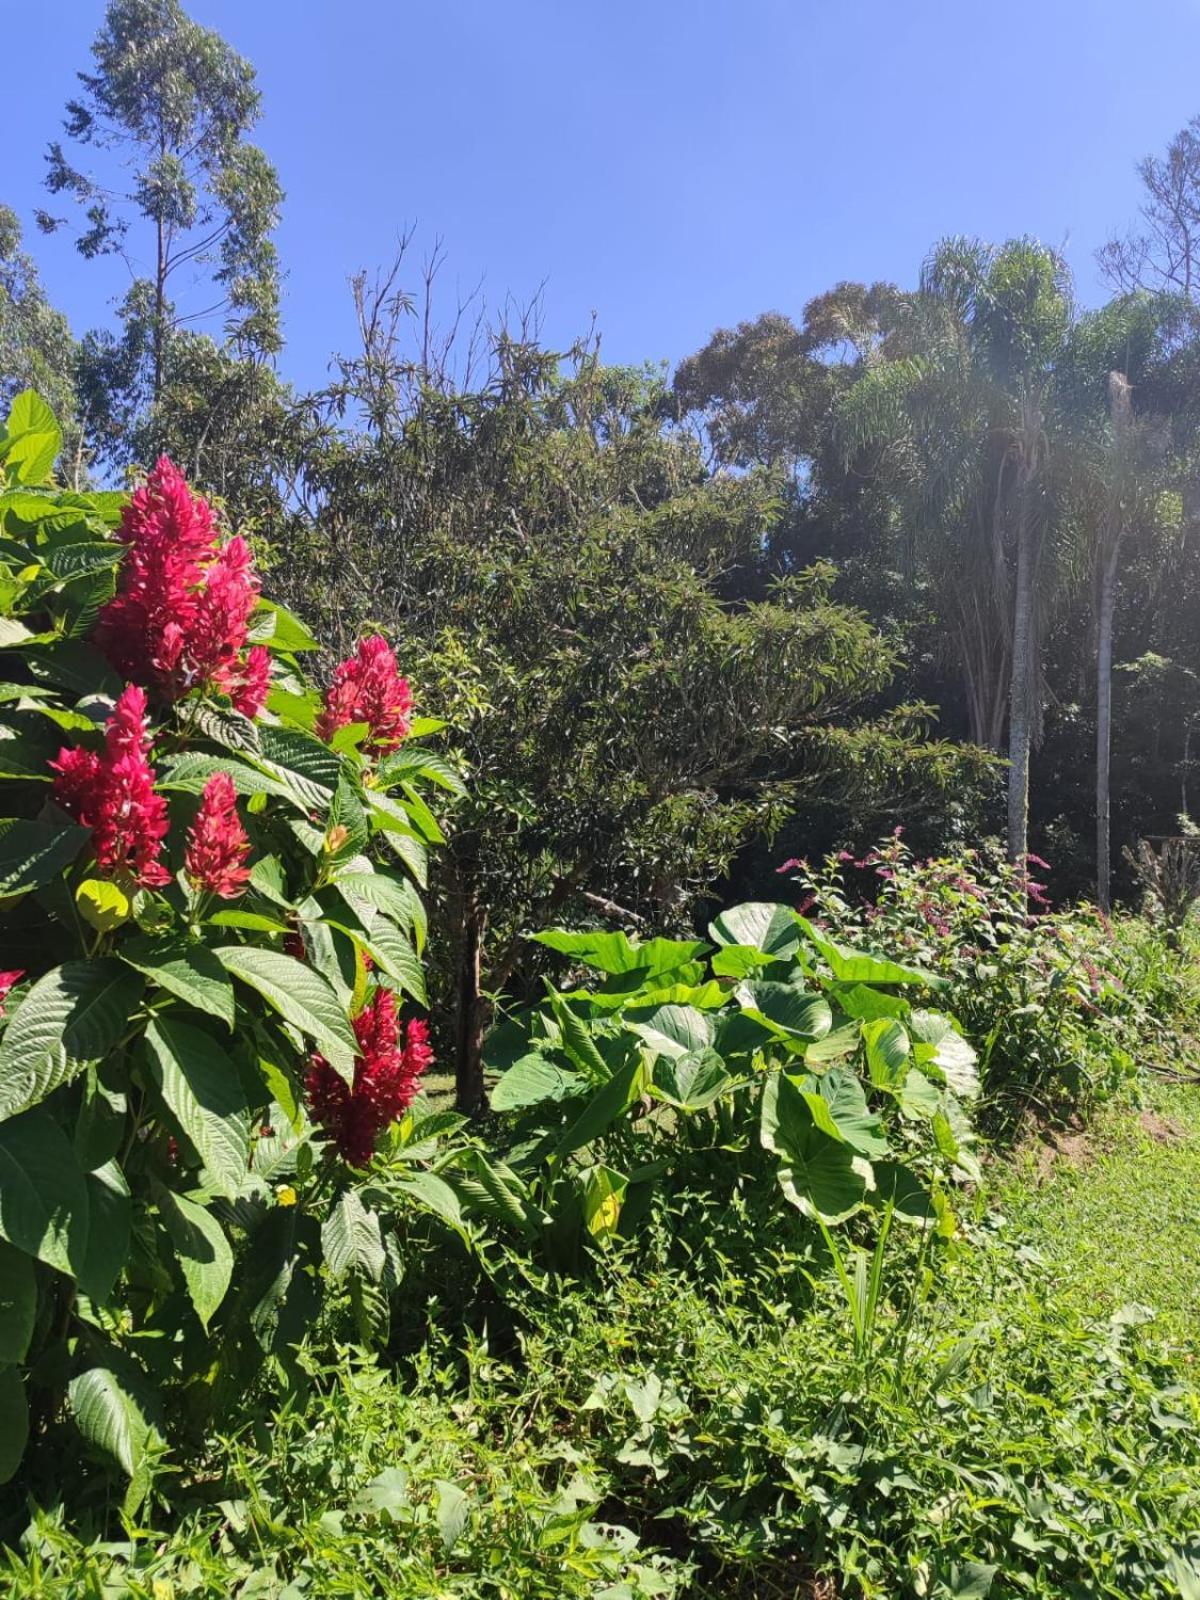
182	614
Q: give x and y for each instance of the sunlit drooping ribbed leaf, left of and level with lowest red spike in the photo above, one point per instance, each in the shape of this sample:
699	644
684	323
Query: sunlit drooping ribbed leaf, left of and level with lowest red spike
202	1090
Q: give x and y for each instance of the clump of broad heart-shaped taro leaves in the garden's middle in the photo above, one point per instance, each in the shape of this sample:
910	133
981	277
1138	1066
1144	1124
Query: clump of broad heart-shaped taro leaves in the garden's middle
774	1039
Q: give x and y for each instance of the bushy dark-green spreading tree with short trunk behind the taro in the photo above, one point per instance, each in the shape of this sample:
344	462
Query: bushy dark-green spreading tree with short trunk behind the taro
566	585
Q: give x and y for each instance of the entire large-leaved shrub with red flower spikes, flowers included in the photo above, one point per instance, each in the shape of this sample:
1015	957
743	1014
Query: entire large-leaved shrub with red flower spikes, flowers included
212	990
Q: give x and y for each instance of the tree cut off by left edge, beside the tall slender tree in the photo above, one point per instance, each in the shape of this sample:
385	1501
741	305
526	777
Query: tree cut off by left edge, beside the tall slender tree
38	350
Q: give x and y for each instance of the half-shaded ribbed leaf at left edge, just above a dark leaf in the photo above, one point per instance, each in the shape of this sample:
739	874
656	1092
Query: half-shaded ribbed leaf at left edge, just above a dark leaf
71	1017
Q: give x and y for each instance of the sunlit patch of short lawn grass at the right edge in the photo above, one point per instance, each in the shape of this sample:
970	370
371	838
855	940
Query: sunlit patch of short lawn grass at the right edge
1118	1214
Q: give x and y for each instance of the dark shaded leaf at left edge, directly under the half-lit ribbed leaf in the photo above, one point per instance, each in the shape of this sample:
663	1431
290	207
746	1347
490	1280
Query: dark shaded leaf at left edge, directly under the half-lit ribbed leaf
44	1199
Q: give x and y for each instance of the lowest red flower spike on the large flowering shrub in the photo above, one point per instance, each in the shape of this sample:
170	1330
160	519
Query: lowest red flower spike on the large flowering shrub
386	1079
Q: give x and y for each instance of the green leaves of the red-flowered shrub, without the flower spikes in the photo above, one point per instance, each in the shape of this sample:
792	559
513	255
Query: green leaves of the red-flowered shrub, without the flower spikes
166	1201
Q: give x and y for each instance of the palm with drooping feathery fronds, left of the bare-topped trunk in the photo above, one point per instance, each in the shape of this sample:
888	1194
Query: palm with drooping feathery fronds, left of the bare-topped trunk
962	417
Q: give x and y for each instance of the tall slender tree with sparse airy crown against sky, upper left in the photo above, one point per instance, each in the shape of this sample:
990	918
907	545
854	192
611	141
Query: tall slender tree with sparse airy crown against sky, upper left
182	198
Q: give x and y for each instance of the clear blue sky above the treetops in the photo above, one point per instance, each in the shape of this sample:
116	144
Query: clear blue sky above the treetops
670	167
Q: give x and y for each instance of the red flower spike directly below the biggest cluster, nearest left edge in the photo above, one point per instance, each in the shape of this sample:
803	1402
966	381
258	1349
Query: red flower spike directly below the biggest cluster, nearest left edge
113	794
